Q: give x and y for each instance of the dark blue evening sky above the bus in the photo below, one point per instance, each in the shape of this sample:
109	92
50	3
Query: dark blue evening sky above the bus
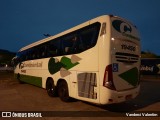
25	21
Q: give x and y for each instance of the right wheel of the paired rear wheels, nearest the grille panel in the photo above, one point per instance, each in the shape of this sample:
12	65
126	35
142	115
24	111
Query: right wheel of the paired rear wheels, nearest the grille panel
63	91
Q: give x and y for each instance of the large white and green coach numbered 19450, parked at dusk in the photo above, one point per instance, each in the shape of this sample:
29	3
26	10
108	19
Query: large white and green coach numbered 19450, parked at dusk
97	61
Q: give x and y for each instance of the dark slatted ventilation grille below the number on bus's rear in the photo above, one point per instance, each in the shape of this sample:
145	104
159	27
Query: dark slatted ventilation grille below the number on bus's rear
126	57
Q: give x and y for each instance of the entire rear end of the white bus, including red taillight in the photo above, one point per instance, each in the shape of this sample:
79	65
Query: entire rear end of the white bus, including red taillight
121	76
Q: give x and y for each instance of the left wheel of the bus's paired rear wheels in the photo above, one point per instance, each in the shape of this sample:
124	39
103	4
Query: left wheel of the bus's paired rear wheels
51	89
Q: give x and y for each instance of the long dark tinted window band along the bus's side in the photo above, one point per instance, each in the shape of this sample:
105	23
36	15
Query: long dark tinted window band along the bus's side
72	43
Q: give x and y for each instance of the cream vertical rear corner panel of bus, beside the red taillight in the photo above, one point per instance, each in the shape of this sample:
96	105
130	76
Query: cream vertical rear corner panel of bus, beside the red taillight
104	60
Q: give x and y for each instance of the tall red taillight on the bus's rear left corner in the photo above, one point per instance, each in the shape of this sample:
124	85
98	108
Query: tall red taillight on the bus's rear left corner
108	78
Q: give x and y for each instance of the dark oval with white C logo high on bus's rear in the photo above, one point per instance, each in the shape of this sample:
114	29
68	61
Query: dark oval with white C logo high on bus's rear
122	26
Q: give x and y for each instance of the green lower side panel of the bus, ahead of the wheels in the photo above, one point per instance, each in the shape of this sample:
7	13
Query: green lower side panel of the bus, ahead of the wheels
37	81
